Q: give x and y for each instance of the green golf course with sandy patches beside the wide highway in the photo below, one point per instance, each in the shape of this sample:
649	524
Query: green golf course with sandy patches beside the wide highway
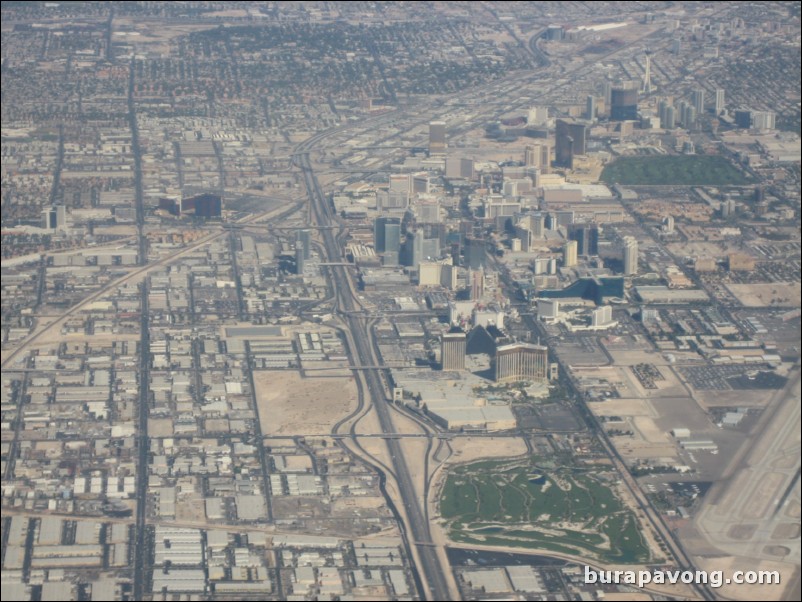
517	504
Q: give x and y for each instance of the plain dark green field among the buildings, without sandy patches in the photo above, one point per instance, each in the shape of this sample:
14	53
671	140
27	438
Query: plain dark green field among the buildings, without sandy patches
684	170
